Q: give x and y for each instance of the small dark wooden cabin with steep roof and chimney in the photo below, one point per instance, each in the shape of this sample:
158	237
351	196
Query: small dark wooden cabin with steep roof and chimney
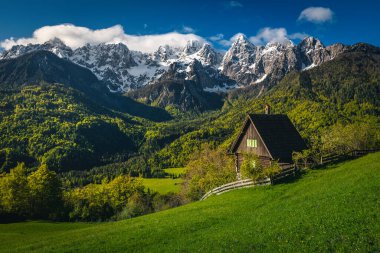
270	137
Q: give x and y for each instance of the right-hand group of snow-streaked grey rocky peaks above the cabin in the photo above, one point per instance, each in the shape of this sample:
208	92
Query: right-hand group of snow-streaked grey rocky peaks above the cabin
248	64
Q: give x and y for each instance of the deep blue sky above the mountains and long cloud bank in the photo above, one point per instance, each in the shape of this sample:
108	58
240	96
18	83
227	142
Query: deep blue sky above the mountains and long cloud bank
216	21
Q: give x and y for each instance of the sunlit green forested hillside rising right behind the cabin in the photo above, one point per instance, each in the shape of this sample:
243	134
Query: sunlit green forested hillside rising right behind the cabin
342	91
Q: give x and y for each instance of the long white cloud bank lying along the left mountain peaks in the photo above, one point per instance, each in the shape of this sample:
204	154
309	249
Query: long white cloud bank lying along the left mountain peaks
76	36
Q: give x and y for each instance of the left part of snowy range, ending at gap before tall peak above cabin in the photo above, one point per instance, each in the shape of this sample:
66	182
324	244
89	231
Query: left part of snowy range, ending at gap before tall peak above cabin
124	70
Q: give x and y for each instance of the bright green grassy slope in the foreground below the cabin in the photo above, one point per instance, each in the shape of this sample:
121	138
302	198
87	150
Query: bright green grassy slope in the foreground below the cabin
335	209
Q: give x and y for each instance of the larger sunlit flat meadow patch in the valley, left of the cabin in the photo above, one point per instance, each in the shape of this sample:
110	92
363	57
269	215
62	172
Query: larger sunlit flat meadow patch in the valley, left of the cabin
163	185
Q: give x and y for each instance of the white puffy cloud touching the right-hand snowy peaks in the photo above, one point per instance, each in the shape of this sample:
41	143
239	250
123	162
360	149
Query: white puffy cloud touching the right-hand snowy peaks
268	34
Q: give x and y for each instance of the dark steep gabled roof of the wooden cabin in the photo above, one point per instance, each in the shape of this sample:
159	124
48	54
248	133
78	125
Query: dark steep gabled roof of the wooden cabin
277	132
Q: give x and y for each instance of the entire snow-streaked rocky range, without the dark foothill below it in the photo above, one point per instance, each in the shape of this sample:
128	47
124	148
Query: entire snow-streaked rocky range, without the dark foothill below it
243	64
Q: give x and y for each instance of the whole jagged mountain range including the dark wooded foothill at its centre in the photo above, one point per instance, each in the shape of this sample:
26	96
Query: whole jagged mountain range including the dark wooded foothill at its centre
203	76
